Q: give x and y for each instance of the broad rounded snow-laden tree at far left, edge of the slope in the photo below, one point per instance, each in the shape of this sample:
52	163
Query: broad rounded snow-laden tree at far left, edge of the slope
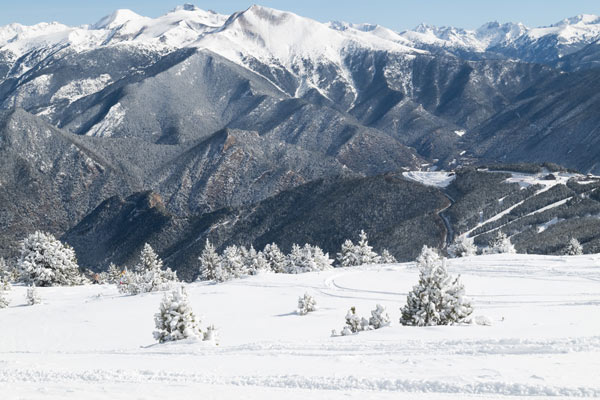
45	261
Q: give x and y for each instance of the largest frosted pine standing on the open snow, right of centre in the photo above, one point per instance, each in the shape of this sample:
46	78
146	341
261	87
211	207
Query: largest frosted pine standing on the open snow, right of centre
438	299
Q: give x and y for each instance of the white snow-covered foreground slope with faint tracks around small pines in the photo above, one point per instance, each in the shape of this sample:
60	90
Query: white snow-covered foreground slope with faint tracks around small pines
91	342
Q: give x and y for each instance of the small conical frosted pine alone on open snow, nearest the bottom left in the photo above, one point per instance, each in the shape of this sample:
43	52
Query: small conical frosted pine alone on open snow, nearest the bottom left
175	319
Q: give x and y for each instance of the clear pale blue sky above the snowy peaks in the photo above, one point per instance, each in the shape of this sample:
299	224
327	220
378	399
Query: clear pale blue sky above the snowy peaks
395	14
